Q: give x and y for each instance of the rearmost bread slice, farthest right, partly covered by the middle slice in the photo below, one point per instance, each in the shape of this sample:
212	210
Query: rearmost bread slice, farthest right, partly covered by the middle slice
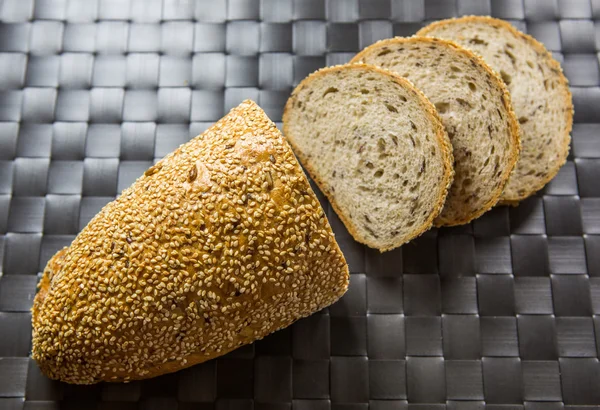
539	90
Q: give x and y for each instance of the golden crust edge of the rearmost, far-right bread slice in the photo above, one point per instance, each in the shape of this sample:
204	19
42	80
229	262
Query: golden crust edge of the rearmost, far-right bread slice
554	66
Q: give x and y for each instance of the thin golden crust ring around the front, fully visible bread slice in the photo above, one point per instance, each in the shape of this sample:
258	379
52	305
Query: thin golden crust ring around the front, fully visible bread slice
441	135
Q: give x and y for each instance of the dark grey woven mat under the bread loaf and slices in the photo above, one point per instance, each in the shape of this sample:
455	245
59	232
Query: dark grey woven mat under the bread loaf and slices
503	313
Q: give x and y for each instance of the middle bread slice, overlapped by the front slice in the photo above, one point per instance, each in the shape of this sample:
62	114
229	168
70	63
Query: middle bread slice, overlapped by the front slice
475	108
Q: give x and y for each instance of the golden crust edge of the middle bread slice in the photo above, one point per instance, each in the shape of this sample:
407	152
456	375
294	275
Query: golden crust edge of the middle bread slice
506	100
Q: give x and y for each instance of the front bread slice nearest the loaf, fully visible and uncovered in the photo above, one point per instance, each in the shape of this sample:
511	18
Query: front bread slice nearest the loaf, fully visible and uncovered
376	148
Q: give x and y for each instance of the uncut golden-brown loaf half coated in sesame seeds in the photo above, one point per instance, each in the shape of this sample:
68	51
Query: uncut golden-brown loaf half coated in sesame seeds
217	245
